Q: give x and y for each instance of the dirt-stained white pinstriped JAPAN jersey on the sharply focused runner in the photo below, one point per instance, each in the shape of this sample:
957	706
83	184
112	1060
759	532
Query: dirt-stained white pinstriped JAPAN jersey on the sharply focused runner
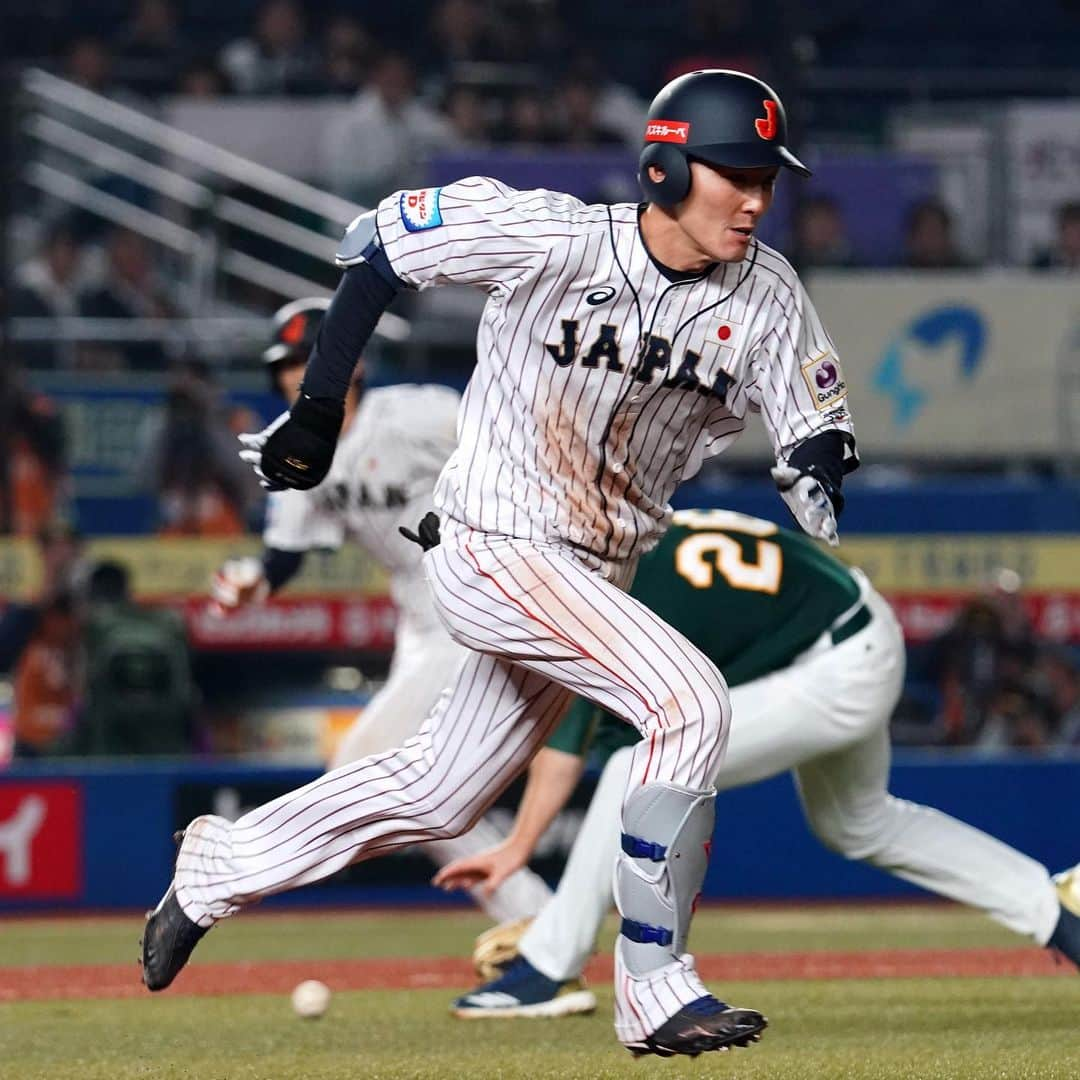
600	383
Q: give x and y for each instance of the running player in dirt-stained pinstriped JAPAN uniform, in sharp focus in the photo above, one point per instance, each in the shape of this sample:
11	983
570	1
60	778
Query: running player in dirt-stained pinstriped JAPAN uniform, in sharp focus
619	347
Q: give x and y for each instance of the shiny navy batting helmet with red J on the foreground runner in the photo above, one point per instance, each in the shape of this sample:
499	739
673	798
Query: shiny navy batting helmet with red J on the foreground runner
724	118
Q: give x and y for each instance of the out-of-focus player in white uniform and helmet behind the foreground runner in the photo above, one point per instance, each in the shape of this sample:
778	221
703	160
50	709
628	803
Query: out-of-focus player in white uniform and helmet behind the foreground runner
383	477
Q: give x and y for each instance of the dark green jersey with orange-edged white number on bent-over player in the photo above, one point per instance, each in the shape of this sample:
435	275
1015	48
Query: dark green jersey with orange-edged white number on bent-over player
751	596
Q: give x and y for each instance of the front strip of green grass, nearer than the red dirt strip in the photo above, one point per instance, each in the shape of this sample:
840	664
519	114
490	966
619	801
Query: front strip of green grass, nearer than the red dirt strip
895	1030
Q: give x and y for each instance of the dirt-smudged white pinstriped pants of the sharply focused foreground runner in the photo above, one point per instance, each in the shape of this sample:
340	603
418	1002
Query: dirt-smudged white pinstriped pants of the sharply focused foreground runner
545	626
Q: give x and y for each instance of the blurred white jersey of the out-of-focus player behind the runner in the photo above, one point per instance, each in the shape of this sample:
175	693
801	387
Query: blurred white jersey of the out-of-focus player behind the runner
384	472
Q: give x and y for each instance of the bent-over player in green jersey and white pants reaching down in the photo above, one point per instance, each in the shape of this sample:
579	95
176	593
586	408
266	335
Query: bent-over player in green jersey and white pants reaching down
816	661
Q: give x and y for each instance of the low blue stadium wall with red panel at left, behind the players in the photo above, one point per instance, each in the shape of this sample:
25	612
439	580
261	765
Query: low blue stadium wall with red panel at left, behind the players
105	841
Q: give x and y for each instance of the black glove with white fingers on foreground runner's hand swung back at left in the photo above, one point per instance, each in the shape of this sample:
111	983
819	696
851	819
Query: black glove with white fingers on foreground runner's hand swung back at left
298	450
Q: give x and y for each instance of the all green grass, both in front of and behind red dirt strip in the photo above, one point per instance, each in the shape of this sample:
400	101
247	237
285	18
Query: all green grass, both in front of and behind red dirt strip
869	1030
